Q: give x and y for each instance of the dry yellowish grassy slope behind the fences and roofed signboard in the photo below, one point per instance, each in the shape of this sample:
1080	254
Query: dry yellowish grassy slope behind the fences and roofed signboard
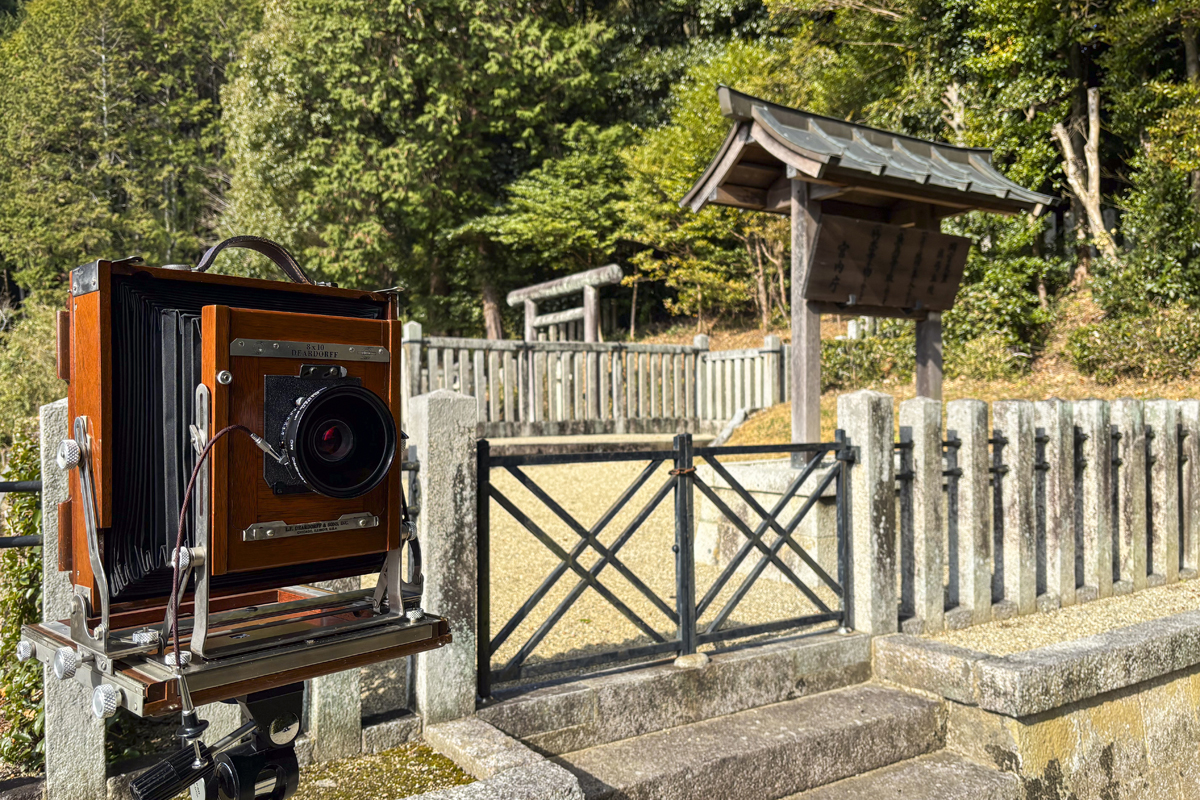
1051	376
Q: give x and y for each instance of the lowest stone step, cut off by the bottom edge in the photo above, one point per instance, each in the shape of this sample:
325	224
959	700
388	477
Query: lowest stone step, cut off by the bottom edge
938	777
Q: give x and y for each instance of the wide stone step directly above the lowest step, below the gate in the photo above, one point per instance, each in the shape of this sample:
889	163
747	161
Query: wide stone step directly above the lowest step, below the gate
767	753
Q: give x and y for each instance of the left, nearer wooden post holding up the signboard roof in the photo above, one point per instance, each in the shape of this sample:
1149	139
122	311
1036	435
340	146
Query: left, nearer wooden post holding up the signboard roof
806	326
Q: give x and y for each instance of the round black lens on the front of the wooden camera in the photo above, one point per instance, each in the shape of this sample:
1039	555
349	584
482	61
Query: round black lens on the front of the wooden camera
340	441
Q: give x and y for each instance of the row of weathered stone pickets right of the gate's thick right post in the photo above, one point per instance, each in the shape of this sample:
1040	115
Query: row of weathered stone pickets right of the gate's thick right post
1055	503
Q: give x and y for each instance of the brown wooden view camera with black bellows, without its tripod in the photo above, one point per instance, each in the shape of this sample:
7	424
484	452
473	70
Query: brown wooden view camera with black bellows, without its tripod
289	396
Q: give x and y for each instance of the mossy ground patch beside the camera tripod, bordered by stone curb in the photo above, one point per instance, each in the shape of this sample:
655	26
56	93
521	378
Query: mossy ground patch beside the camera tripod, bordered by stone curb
411	769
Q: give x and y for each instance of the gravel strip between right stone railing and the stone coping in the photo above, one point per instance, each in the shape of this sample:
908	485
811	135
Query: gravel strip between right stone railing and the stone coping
1073	623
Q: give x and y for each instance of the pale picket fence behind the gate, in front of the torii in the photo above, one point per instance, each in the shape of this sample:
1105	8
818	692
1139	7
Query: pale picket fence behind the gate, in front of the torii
547	388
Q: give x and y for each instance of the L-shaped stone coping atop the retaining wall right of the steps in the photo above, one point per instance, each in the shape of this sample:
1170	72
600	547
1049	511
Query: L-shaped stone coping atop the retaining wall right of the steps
1025	684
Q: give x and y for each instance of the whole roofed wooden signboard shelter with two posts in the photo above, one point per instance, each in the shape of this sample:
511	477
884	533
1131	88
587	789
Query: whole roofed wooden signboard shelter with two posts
855	195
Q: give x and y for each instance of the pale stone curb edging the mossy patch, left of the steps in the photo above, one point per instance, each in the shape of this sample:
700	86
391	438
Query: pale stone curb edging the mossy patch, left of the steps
506	769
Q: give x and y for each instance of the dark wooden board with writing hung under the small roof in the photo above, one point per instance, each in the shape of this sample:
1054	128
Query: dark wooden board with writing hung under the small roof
880	270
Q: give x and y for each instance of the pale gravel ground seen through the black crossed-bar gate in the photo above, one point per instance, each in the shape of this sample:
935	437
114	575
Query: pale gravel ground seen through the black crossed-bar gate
520	563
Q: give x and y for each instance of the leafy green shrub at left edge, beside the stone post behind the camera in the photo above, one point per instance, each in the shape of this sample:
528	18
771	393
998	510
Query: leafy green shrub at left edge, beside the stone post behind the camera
22	721
